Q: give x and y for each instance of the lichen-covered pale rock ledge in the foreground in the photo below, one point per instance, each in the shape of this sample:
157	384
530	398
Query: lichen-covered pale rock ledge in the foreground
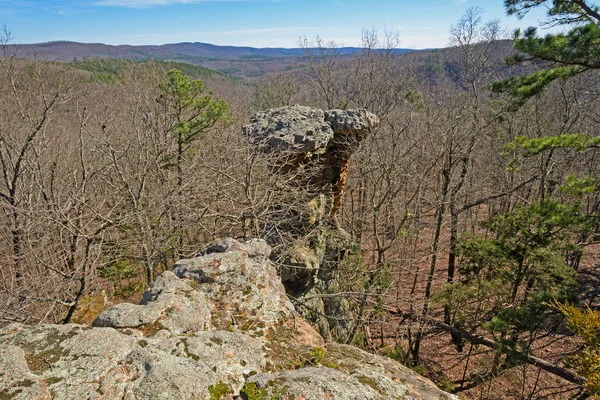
219	326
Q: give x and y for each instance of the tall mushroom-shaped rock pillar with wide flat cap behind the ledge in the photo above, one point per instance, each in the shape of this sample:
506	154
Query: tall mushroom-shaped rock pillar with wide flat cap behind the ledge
297	136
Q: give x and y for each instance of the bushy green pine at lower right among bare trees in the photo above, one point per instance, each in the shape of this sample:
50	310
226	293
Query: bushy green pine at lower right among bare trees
507	280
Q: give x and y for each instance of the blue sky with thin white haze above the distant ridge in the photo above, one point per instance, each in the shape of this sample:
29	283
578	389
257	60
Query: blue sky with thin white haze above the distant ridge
257	23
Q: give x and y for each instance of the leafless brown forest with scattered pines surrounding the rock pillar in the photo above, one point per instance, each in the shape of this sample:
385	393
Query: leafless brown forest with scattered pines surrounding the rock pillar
472	211
